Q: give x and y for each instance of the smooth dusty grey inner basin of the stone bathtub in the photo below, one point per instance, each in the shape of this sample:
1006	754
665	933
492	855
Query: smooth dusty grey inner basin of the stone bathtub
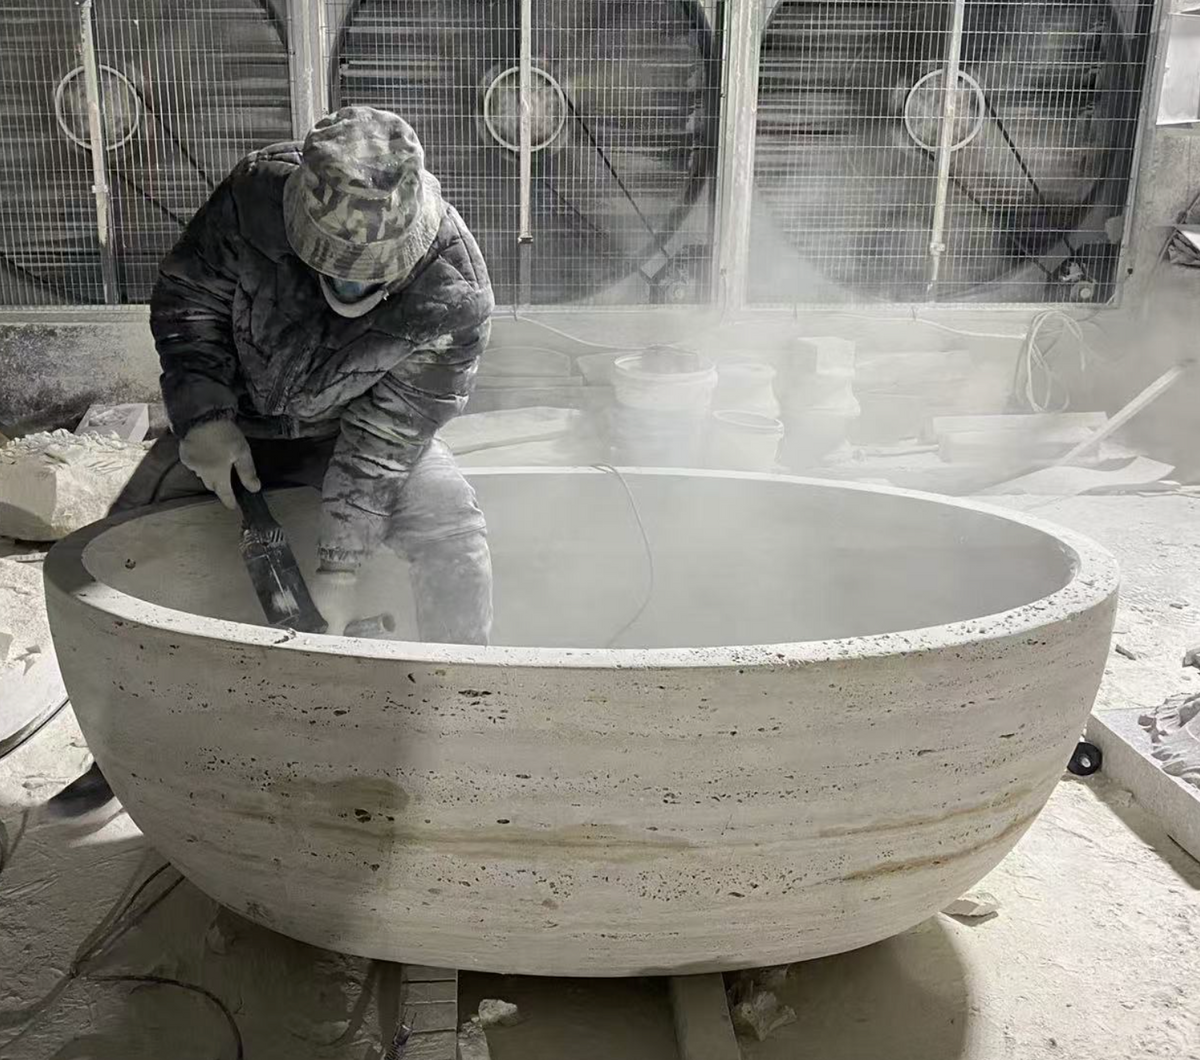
697	561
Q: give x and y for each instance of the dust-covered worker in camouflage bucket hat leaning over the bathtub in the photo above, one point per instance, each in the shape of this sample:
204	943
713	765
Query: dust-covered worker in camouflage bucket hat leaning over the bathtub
321	319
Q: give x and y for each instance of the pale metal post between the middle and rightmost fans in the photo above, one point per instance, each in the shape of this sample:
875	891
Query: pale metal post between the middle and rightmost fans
735	190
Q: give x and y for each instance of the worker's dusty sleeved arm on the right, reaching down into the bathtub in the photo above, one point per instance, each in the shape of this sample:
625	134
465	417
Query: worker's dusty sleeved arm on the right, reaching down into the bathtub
385	433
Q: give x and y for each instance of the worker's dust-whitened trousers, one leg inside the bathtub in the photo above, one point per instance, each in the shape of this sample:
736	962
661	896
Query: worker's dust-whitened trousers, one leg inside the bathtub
437	526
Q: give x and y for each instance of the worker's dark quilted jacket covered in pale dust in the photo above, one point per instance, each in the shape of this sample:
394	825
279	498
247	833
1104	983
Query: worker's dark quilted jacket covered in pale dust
245	333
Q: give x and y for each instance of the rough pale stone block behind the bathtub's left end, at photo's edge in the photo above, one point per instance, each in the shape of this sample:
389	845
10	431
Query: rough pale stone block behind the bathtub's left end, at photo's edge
55	483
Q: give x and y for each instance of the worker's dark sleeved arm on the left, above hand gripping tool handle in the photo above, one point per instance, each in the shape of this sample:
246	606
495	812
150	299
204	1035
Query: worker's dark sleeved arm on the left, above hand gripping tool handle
191	316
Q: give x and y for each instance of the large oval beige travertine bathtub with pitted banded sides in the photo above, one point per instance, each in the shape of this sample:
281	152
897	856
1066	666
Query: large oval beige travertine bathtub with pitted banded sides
733	721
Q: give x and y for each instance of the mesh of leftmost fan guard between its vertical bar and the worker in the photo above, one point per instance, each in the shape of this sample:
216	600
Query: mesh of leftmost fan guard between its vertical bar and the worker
191	88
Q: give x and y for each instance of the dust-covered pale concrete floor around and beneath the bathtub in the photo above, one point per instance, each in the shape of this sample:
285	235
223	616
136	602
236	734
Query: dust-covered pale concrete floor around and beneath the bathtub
1096	950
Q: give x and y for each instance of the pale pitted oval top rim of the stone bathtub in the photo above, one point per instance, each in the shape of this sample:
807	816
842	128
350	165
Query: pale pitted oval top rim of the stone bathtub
1095	580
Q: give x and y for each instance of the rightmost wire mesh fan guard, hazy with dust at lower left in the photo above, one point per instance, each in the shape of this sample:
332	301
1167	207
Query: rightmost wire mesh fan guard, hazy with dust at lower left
1039	131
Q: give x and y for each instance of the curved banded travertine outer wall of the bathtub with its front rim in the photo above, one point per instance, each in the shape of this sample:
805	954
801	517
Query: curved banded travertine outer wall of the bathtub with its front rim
586	818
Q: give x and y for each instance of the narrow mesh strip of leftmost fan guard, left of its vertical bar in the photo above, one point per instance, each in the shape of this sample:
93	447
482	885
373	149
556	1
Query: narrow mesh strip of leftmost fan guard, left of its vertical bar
50	253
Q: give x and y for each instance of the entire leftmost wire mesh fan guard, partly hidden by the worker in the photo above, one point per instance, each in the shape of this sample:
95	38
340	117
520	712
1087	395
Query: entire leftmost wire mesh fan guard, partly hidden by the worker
187	91
